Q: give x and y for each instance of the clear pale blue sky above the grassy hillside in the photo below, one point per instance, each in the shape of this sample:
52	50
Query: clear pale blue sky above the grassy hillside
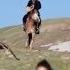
12	11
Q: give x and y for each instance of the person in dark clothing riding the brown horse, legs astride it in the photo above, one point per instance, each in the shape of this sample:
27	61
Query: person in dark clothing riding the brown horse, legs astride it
33	4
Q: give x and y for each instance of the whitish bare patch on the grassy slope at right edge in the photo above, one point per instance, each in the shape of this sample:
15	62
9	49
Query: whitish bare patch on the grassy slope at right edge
61	47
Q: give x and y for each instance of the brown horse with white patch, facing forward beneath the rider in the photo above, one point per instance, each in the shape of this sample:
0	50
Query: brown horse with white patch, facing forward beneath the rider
31	27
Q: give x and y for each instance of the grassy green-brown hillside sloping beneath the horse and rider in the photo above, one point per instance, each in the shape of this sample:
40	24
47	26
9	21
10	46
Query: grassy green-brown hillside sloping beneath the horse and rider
52	31
